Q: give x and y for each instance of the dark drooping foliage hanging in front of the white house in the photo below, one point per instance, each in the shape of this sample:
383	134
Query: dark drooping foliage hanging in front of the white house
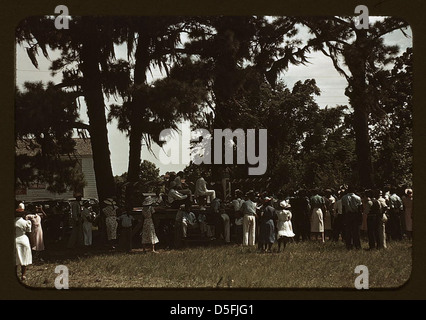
46	116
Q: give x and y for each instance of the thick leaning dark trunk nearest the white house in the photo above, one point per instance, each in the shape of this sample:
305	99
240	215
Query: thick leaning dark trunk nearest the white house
92	89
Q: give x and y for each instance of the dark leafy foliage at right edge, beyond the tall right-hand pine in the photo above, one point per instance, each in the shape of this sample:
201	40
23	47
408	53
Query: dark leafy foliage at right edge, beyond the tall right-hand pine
392	134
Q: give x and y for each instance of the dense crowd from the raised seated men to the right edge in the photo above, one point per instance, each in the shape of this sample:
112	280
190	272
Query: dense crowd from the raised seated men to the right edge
265	218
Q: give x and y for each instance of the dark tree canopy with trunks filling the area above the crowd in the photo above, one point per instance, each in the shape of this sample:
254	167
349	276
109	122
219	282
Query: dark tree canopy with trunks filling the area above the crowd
224	72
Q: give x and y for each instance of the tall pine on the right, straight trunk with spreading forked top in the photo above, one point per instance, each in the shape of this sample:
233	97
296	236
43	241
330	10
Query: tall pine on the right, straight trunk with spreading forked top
359	55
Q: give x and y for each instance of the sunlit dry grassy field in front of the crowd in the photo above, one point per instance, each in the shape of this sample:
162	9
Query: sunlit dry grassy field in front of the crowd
300	265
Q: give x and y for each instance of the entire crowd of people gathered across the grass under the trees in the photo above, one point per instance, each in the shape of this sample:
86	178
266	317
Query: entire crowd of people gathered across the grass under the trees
247	218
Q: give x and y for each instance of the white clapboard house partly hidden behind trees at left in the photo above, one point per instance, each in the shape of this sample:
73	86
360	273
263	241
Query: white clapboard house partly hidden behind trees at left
83	152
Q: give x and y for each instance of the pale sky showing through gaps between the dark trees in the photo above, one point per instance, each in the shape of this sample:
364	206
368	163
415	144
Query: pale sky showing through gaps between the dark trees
320	68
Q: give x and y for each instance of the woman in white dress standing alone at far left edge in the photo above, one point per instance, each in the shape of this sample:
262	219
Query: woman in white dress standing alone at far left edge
22	242
